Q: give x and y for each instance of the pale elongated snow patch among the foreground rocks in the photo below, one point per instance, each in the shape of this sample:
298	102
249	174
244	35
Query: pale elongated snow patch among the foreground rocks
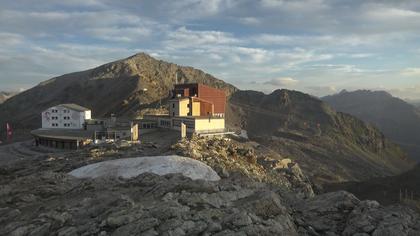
160	165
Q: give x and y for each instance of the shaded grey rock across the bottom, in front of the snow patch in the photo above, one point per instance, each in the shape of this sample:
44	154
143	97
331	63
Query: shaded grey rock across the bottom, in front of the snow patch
149	204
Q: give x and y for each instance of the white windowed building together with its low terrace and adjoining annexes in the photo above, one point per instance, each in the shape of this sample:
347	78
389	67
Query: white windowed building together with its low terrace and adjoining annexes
71	126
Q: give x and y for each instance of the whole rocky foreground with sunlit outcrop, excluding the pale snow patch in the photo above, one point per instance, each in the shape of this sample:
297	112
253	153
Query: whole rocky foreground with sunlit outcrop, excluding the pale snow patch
38	197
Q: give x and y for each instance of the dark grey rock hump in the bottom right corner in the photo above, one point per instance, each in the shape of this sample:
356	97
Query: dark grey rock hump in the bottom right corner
341	213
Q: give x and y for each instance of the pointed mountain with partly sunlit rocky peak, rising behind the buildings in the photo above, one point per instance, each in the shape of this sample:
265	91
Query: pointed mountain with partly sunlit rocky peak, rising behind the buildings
116	87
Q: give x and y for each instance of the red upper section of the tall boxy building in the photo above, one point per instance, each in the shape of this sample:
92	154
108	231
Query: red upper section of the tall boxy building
213	101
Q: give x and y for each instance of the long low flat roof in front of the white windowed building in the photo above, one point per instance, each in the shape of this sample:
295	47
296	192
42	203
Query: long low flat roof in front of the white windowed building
63	134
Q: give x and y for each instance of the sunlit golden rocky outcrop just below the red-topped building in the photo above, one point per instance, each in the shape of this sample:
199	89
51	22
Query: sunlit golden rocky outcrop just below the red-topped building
228	156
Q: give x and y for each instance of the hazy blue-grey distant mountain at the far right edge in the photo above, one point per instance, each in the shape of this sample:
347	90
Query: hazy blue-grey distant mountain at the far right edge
397	119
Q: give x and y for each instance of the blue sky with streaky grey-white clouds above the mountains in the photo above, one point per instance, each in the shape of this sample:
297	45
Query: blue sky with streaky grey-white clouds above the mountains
315	46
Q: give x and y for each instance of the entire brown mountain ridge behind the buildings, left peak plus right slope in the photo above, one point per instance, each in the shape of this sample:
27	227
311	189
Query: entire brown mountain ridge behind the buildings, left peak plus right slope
330	146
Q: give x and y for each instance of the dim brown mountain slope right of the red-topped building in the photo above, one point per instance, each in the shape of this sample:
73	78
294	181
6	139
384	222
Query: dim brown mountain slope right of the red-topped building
330	146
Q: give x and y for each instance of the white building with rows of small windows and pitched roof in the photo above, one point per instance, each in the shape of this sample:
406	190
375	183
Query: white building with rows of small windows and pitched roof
65	116
